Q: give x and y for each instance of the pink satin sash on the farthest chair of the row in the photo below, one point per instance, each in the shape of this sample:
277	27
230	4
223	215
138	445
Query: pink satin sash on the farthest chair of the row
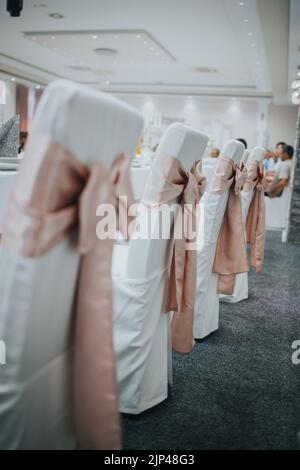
255	225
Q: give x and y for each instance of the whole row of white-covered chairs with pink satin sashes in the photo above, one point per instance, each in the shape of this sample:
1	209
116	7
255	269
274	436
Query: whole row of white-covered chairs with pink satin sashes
83	345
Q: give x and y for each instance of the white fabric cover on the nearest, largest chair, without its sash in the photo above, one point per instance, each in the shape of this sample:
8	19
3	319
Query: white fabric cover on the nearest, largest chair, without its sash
36	294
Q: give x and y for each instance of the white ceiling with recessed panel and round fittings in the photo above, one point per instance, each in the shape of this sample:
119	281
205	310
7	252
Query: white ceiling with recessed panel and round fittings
191	46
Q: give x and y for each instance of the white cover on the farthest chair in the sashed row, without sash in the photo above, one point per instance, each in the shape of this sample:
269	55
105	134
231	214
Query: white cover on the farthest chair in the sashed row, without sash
241	280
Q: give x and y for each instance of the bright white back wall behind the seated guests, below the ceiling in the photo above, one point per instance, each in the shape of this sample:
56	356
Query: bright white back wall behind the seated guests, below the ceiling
225	118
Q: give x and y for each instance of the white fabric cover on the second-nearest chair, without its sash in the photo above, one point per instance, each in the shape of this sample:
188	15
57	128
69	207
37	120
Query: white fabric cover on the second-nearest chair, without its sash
141	327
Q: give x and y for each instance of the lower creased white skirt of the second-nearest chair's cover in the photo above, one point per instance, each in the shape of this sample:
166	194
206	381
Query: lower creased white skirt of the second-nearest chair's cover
140	332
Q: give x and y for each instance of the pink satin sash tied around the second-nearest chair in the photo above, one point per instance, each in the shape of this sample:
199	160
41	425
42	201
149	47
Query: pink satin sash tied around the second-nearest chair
169	180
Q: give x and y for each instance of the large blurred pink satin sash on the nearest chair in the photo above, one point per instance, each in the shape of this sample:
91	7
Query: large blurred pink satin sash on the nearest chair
55	193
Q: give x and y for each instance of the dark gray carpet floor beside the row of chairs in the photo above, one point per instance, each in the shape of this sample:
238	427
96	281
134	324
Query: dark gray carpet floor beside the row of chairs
238	389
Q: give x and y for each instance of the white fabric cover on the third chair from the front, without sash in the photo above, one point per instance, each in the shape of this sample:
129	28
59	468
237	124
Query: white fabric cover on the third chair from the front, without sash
207	299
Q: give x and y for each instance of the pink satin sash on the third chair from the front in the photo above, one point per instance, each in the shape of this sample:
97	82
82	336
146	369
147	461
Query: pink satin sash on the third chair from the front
231	255
